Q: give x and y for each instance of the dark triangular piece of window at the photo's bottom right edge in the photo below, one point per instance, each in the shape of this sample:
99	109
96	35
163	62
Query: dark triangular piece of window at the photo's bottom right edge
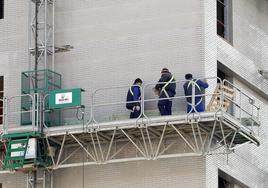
227	181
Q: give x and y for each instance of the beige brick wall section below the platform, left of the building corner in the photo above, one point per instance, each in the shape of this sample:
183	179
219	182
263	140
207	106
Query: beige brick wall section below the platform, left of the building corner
170	173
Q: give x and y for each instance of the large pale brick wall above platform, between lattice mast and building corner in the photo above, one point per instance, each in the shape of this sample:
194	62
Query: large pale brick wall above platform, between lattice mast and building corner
118	41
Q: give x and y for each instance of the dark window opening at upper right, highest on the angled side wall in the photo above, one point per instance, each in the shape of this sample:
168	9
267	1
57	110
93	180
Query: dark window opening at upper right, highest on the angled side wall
224	19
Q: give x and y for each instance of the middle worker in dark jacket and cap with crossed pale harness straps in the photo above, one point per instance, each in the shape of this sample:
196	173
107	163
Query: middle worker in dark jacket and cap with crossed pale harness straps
166	89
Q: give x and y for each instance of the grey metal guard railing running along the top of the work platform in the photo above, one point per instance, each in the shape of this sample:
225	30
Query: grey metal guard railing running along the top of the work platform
108	104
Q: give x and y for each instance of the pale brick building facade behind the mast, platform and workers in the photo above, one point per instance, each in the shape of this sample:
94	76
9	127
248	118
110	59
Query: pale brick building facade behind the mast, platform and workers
114	42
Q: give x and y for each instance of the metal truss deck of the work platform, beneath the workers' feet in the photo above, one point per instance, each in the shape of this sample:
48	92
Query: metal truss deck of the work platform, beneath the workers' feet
145	138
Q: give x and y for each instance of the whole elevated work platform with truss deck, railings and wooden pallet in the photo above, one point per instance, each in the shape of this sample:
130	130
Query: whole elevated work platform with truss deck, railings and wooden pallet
225	125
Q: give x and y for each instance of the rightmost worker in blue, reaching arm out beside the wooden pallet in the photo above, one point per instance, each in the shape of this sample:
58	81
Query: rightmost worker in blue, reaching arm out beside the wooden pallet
200	85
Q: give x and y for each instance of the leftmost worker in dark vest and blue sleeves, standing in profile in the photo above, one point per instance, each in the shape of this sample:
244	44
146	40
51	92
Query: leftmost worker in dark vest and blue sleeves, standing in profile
133	99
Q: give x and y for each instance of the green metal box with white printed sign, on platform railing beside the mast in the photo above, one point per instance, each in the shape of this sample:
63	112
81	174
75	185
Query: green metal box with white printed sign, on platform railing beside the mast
65	98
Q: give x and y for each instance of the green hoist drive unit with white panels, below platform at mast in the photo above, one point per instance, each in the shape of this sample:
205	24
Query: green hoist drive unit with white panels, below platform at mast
25	150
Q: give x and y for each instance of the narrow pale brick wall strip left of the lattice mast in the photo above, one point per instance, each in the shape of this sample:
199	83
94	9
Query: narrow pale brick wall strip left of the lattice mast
14	49
